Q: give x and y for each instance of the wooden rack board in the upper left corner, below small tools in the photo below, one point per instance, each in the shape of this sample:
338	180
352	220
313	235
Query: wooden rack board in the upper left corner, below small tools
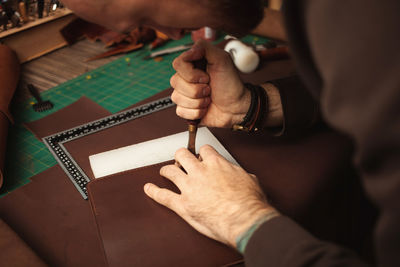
38	37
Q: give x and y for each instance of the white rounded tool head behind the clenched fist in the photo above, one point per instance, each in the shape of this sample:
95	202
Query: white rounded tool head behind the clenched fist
244	57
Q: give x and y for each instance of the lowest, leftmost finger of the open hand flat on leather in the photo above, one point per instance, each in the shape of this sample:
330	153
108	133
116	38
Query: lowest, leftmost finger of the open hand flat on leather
162	196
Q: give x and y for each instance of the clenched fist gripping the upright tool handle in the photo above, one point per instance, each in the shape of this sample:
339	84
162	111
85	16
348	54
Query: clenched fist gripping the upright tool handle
217	96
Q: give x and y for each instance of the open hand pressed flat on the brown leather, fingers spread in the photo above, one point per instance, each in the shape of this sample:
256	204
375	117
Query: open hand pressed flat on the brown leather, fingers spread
218	199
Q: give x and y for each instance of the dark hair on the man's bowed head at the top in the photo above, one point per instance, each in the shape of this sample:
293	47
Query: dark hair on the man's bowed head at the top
239	17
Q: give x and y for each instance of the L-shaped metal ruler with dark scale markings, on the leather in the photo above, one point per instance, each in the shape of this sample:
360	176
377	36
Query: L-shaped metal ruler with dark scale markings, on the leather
55	143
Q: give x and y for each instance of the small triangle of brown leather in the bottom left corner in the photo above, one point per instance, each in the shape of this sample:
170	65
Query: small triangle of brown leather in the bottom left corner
14	251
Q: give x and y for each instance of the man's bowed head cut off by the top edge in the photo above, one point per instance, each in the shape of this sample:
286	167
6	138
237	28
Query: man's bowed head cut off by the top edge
171	16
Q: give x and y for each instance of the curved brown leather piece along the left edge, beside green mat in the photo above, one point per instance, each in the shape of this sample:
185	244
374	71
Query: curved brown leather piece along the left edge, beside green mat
9	76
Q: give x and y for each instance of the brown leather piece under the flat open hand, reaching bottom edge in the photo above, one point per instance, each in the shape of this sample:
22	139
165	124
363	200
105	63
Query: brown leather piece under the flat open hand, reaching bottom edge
136	231
